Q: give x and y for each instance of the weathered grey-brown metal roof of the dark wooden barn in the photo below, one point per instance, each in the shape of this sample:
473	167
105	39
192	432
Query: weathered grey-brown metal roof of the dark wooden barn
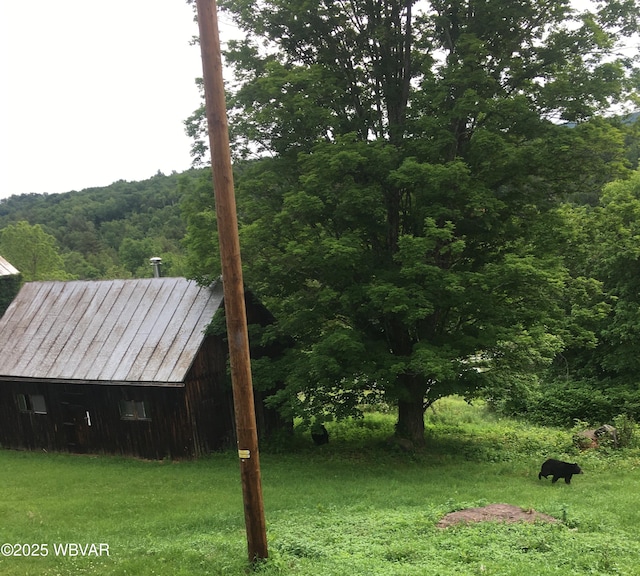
145	331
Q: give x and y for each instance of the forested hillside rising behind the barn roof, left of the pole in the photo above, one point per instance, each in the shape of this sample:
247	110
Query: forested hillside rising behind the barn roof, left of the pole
108	232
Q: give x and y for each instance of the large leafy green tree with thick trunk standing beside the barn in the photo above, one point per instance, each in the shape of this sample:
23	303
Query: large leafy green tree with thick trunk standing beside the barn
399	220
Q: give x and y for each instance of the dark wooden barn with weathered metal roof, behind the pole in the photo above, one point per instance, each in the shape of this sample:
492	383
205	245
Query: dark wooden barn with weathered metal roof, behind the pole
118	367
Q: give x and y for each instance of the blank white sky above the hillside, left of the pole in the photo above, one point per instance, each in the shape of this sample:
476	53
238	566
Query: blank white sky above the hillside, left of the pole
94	92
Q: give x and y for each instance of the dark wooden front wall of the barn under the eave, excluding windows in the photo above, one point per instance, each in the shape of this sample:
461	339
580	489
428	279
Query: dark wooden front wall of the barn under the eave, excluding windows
65	427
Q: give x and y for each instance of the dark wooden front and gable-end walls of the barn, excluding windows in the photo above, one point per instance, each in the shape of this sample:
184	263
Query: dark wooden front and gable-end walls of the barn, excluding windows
182	422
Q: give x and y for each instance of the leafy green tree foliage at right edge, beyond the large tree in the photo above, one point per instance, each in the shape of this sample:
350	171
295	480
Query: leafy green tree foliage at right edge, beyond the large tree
603	247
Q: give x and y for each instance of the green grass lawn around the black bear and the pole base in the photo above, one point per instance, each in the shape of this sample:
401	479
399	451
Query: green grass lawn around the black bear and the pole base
355	506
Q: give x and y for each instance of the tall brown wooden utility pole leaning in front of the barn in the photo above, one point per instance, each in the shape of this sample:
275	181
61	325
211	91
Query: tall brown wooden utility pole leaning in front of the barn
234	303
